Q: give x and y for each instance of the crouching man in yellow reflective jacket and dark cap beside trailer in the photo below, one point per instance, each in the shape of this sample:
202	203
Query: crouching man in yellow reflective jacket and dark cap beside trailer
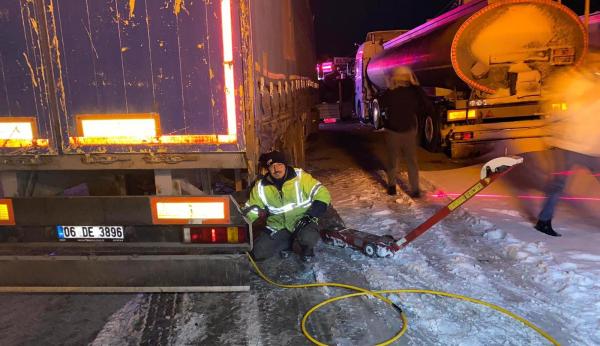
294	201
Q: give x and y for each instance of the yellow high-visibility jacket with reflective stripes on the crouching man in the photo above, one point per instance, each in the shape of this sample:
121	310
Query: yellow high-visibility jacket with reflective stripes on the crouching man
285	207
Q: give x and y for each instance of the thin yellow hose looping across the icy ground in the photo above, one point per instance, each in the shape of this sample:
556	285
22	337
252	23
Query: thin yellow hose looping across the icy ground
378	294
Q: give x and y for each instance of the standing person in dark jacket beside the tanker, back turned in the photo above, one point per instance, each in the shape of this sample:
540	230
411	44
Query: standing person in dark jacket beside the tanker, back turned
403	102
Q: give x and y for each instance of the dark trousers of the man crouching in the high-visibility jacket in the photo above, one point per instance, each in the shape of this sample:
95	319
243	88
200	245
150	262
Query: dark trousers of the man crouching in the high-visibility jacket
266	245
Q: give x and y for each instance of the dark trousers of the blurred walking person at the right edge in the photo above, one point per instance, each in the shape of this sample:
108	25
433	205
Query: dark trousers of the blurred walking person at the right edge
564	160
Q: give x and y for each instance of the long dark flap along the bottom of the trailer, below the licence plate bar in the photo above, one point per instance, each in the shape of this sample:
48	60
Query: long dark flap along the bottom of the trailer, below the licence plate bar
125	274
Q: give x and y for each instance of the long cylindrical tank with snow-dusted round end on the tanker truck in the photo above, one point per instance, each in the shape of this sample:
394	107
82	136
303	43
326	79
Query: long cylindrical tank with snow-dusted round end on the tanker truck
501	48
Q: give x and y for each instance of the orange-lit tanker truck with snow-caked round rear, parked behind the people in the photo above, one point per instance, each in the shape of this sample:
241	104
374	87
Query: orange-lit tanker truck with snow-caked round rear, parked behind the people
484	64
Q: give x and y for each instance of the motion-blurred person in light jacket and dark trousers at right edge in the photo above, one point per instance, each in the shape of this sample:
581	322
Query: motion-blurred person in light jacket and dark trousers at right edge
574	135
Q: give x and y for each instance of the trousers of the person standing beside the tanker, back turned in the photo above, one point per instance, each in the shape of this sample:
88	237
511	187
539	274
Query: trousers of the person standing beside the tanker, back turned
404	143
